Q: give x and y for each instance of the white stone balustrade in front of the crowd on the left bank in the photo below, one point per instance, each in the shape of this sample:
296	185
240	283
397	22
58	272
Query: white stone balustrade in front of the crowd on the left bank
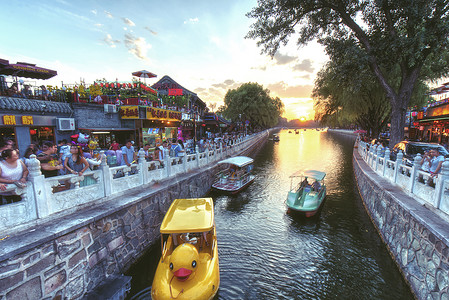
43	197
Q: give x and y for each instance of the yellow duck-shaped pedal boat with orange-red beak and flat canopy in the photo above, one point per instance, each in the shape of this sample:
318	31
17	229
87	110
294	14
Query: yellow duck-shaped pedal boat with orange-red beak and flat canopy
188	268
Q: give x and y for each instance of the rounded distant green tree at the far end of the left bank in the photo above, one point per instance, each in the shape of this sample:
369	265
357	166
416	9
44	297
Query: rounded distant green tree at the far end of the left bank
252	102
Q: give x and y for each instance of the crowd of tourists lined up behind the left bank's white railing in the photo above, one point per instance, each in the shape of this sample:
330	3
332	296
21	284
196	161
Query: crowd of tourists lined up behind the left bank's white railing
67	158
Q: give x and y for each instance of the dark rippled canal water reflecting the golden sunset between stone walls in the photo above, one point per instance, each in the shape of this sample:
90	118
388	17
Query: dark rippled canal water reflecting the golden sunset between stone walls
265	253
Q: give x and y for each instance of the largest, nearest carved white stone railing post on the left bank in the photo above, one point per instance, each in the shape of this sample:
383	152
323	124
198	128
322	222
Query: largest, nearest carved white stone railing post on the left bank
40	194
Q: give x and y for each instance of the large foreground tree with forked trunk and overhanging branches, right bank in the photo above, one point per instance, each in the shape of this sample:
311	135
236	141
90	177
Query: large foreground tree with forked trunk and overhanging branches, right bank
409	35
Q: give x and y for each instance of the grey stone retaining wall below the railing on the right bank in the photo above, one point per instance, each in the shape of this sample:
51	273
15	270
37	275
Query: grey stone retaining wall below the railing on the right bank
416	235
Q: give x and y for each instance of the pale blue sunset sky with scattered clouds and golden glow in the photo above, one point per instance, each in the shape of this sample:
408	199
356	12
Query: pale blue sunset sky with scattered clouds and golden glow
201	45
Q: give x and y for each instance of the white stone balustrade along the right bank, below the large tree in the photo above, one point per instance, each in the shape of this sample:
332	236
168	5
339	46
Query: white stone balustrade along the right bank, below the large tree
433	191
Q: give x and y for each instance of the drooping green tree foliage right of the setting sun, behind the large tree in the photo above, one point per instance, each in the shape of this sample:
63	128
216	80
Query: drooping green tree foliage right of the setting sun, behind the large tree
347	92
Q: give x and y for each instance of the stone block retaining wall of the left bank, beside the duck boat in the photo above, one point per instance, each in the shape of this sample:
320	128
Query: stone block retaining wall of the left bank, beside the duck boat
64	258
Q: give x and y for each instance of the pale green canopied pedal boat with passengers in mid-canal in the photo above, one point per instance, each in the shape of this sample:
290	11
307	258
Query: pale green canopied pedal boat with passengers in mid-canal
307	195
